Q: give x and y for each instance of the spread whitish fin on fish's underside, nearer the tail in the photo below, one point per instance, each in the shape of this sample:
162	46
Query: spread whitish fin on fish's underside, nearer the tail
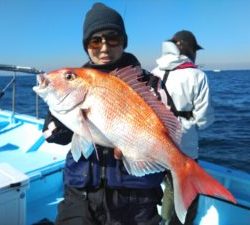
141	167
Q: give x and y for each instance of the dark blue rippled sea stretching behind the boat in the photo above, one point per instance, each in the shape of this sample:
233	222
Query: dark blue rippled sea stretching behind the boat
226	142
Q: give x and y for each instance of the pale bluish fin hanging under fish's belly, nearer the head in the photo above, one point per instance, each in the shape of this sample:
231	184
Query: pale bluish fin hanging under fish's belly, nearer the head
81	145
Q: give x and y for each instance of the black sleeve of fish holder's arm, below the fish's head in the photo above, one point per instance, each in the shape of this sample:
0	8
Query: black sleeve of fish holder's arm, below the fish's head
61	134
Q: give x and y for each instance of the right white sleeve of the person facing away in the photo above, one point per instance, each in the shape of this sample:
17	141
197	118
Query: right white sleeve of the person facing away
203	111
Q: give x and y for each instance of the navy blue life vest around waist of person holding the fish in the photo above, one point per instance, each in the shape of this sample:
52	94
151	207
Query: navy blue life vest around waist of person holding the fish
93	173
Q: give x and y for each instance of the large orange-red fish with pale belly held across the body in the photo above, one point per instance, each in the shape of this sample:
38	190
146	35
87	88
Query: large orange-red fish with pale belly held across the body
119	111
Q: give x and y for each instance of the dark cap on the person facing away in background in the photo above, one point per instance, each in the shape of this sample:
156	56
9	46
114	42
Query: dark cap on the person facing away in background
187	37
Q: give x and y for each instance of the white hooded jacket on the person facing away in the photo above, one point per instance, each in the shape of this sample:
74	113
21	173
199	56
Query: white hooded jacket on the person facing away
190	92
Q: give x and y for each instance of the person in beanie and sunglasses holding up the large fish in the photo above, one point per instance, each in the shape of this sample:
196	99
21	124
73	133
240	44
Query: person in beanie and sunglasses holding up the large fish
100	191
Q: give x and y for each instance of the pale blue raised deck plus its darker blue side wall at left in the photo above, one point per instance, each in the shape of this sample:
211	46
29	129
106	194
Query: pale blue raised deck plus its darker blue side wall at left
24	148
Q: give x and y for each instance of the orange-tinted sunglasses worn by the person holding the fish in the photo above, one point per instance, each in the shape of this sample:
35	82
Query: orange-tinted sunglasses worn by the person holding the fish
112	40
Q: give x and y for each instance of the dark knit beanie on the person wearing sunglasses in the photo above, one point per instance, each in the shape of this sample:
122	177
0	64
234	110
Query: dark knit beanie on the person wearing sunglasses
99	18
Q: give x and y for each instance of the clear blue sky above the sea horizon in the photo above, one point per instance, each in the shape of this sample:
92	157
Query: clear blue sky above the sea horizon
47	34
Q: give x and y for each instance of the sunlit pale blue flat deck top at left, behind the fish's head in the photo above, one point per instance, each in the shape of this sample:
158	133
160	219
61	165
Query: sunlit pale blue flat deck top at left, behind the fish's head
23	146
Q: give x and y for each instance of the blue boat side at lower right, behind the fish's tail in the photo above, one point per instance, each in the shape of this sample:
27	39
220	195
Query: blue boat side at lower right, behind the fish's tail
219	212
